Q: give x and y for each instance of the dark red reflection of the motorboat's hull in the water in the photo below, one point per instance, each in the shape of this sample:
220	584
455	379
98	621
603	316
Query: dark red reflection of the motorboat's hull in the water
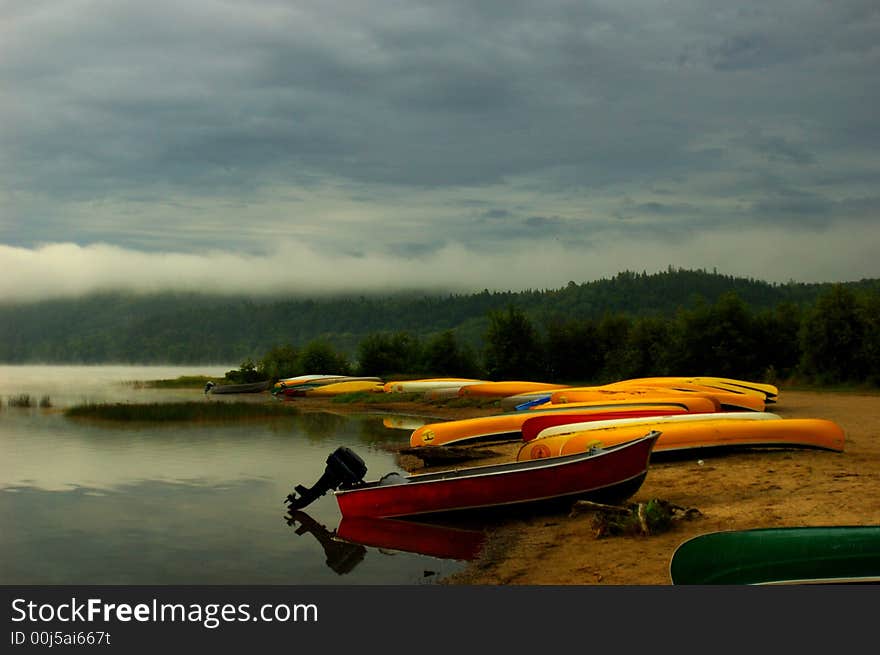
423	538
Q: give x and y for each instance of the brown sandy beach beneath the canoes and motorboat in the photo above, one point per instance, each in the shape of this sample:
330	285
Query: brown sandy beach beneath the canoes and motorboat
753	489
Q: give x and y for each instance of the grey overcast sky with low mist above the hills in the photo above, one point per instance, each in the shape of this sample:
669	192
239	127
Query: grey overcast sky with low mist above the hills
272	146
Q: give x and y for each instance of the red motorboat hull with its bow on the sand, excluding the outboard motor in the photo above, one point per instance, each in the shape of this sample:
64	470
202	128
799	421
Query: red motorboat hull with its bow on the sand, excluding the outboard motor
611	473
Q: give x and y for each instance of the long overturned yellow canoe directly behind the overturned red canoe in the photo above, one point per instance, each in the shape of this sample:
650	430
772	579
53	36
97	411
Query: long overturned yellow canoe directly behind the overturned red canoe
501	427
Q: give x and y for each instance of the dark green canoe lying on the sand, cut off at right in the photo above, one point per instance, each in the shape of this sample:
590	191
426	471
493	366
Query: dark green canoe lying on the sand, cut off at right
826	555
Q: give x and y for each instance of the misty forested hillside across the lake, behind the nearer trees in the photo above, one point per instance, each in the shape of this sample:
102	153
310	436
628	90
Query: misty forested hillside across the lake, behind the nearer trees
191	328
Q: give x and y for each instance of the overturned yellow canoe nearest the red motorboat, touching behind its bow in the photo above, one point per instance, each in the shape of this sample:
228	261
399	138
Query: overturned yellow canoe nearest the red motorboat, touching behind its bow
788	432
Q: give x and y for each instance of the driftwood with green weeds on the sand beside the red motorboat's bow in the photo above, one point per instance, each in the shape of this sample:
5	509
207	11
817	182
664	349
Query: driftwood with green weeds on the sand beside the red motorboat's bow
647	518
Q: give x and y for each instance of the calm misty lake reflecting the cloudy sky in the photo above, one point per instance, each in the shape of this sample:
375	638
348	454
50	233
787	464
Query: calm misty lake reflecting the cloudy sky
86	502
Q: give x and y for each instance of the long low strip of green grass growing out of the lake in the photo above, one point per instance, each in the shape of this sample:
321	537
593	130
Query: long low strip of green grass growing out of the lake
180	412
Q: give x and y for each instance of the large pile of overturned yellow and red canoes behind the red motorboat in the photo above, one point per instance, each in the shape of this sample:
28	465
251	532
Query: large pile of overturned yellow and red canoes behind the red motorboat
691	413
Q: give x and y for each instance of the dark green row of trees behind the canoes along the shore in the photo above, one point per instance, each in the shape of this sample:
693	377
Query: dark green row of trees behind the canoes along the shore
834	340
